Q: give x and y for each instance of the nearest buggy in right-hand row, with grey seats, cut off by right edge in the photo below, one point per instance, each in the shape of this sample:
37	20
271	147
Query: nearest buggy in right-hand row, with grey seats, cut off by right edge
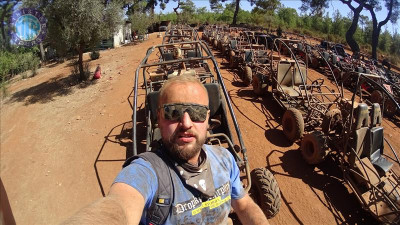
353	133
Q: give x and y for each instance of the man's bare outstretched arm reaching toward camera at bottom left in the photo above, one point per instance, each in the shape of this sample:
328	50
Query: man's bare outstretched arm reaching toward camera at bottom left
123	205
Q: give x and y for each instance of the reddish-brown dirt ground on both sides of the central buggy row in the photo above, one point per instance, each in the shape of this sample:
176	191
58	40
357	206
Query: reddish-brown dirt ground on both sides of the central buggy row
54	132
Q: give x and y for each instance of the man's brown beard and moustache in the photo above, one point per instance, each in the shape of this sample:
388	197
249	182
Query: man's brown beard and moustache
185	152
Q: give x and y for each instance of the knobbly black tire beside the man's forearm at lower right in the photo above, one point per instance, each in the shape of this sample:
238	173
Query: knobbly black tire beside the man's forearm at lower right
266	191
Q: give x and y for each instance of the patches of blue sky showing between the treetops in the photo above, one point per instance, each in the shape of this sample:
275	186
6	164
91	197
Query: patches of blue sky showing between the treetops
333	6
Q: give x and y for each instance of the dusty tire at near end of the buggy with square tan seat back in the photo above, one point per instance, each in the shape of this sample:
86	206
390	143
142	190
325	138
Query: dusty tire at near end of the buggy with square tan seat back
293	124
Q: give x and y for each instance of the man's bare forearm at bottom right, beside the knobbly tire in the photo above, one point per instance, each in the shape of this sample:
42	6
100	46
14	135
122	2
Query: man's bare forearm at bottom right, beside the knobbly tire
248	211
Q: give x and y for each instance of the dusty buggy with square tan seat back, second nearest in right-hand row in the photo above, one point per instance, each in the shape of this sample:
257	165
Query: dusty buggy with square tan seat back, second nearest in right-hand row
304	100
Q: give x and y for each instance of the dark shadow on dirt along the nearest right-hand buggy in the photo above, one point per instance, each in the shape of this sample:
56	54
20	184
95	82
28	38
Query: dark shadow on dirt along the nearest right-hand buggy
326	177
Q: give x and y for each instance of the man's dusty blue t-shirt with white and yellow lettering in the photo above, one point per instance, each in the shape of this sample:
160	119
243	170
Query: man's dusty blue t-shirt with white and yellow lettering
187	207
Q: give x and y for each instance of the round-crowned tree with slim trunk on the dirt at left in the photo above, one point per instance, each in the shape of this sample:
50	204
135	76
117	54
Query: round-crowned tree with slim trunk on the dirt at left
81	24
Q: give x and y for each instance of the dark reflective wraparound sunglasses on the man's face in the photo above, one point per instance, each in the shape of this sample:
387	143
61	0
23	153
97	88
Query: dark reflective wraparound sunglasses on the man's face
175	111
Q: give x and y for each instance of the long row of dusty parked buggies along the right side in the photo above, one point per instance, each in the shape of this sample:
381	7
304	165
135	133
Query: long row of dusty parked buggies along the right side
316	112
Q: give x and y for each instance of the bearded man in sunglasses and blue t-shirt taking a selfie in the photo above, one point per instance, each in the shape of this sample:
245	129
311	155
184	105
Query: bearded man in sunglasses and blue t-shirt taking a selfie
207	184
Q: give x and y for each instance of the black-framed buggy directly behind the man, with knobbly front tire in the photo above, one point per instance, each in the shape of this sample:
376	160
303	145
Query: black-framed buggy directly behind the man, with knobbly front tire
221	113
